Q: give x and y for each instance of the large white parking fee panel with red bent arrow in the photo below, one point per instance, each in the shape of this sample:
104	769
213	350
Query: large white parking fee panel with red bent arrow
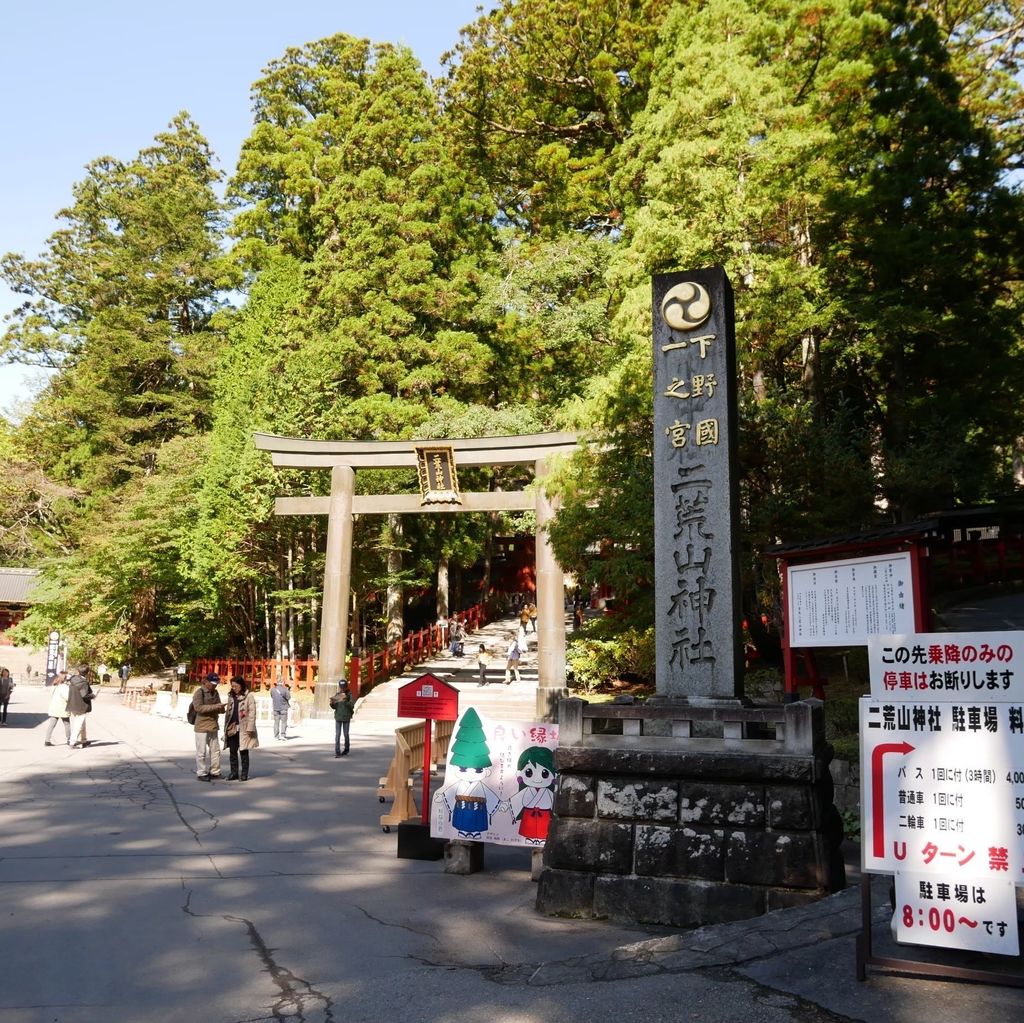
943	788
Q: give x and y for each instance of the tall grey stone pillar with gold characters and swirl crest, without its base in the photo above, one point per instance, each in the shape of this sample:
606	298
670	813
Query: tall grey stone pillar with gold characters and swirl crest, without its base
697	522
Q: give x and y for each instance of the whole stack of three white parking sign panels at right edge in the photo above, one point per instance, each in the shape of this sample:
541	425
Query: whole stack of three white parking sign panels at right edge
943	784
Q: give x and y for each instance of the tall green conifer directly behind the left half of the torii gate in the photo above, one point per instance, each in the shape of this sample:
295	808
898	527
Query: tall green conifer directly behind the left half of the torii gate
365	319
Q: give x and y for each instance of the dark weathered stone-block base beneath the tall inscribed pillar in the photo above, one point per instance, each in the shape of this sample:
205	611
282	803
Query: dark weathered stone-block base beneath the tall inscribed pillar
678	827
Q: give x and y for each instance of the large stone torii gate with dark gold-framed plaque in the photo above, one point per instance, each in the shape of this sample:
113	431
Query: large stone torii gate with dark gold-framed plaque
344	458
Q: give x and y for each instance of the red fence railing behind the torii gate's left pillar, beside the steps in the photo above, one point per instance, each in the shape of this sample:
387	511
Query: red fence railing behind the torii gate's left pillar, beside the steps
364	670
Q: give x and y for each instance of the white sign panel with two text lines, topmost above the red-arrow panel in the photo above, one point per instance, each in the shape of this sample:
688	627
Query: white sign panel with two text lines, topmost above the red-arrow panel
952	667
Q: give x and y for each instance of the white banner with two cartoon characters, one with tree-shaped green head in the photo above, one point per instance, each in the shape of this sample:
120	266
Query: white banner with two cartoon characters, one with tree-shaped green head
499	783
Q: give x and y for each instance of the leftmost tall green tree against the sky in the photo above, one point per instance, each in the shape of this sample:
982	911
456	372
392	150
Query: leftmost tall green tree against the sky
121	305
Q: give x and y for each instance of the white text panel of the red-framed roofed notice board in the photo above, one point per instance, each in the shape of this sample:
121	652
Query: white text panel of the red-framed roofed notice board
841	604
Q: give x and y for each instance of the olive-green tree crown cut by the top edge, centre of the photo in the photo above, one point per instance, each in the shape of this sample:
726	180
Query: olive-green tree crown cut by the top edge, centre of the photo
539	95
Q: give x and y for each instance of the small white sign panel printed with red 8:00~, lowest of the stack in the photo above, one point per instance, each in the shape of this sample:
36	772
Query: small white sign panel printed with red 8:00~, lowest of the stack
974	914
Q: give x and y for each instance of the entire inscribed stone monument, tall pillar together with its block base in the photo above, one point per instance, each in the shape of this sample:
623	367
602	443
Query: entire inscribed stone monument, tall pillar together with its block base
694	807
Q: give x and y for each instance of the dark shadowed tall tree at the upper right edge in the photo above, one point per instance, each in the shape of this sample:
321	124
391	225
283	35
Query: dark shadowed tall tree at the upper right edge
925	246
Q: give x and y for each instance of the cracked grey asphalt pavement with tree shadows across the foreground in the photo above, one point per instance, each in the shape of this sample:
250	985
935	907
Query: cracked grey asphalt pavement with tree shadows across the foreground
132	892
